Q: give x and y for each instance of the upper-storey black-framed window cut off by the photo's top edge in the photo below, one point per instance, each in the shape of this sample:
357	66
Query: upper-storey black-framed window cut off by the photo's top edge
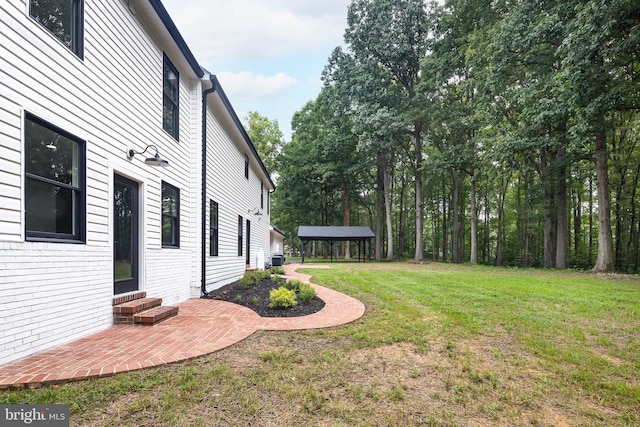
62	18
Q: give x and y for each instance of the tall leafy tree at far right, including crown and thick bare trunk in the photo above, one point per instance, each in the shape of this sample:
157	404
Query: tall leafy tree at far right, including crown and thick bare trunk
600	51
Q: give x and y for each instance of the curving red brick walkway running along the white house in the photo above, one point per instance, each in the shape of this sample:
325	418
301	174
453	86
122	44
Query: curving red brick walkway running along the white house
202	326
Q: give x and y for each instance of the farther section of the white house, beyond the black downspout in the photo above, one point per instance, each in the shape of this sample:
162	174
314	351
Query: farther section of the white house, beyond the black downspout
237	193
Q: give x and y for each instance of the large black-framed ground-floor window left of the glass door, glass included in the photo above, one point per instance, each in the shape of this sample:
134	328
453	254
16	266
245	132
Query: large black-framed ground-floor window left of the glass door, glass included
54	183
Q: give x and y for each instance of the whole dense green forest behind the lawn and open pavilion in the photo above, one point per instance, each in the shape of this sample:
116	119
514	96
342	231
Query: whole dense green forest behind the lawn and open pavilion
480	131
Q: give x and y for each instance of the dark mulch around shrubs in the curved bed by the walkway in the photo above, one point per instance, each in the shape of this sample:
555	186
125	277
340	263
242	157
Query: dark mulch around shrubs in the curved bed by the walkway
257	299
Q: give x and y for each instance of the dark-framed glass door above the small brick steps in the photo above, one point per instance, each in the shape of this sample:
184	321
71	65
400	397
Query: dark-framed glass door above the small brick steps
125	231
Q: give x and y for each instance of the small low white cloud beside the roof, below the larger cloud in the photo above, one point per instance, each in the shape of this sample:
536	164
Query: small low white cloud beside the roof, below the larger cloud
248	85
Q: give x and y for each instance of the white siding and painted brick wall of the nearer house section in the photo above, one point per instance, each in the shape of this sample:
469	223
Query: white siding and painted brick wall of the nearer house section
53	293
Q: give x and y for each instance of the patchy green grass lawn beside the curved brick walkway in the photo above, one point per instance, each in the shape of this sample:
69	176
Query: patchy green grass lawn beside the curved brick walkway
439	345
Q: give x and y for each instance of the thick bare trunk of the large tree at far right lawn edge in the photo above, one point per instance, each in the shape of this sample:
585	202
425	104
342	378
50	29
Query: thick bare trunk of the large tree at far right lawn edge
604	262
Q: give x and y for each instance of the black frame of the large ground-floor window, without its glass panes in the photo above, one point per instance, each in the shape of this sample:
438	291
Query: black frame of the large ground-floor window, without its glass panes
79	215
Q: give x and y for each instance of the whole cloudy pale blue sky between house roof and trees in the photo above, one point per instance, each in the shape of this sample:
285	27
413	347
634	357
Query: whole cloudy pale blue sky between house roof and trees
267	54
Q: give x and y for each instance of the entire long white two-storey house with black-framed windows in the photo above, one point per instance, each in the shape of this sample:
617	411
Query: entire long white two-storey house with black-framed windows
95	97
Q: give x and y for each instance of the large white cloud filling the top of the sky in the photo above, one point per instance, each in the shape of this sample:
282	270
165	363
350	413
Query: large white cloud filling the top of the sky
257	28
